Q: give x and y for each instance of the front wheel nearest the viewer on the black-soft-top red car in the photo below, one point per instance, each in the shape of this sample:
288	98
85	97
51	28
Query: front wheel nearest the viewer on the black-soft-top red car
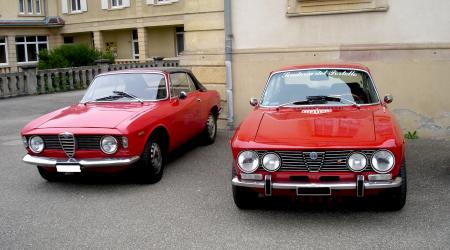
150	166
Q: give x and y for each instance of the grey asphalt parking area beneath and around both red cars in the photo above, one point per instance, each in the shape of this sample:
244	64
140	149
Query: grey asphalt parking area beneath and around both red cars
192	206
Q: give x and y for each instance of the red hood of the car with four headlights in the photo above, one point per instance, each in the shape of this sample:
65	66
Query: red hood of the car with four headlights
297	126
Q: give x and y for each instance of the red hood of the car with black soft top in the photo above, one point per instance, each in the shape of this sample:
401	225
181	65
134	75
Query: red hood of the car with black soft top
93	115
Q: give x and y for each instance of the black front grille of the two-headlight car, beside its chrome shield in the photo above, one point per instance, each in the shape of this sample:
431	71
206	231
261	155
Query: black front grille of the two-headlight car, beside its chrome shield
82	142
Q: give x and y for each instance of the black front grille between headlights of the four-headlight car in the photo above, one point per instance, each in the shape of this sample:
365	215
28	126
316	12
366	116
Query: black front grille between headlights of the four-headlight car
317	161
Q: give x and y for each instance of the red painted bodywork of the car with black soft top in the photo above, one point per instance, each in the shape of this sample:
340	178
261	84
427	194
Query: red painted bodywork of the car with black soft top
183	119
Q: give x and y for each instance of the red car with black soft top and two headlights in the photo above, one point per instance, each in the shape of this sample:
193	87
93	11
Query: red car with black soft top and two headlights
125	118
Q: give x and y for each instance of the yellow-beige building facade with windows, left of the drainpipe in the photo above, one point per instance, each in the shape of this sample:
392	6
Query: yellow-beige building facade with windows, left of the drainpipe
190	31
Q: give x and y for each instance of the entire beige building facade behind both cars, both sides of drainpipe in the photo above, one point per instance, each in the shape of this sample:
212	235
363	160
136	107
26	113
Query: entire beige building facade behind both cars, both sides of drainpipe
406	43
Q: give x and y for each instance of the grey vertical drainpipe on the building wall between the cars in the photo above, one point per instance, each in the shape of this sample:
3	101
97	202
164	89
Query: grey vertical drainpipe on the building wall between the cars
228	60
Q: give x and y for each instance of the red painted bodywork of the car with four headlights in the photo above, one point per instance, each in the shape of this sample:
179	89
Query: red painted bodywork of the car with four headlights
369	127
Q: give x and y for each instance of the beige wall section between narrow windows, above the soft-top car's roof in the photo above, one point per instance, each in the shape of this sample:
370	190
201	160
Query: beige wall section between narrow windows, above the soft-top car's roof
161	42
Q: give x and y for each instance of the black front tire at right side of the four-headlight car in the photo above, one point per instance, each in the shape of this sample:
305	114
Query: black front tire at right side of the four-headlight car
395	199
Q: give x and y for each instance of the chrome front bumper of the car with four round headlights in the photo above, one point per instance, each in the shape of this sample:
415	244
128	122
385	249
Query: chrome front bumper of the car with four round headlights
334	185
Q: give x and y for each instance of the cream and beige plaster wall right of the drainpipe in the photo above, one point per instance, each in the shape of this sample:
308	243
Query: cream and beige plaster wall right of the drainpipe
406	43
